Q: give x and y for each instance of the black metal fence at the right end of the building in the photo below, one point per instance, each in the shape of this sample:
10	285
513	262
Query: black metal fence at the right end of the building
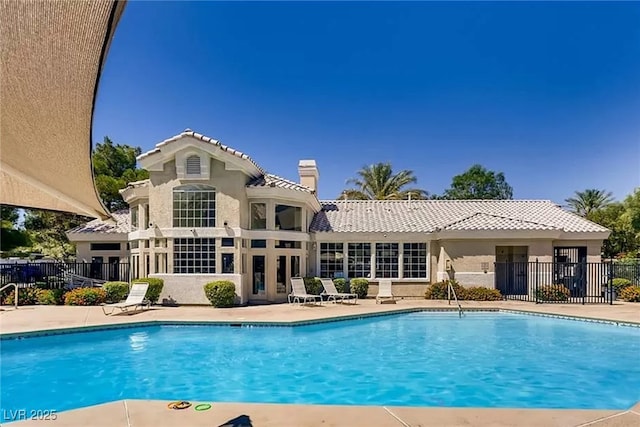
563	282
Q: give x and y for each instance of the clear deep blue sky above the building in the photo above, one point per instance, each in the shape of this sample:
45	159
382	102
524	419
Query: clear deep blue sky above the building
548	93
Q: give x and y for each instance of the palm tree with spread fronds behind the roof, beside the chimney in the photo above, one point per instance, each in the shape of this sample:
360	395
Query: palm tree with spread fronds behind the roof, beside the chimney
378	182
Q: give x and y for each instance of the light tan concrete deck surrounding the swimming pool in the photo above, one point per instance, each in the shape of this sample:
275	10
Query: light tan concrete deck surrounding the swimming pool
133	413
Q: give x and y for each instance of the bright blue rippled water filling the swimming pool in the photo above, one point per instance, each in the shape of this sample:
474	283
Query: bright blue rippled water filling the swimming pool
417	359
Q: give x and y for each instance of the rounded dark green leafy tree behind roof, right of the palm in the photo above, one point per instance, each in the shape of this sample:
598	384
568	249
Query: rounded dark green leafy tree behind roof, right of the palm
478	183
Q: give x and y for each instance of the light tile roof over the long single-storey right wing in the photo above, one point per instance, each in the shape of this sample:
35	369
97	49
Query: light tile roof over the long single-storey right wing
434	215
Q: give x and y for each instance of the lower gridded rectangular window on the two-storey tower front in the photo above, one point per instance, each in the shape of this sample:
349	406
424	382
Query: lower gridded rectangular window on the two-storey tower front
194	255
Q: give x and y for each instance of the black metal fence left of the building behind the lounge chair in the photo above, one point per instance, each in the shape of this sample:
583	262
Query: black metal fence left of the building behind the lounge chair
56	275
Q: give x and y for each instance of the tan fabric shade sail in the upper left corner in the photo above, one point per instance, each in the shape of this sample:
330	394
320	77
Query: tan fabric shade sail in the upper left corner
52	53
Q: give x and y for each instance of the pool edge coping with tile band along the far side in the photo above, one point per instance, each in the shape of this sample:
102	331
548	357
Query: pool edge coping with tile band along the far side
294	323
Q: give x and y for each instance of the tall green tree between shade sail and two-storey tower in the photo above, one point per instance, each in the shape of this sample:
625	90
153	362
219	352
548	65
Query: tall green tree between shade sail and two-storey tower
114	167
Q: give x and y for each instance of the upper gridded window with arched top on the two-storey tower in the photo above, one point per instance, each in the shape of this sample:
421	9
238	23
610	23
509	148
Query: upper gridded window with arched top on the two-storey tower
194	206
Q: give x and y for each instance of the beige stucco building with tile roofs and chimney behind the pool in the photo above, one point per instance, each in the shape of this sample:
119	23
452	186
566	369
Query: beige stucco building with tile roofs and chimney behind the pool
210	212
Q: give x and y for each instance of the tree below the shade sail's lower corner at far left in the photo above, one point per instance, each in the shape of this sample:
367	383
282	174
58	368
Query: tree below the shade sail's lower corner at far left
47	232
